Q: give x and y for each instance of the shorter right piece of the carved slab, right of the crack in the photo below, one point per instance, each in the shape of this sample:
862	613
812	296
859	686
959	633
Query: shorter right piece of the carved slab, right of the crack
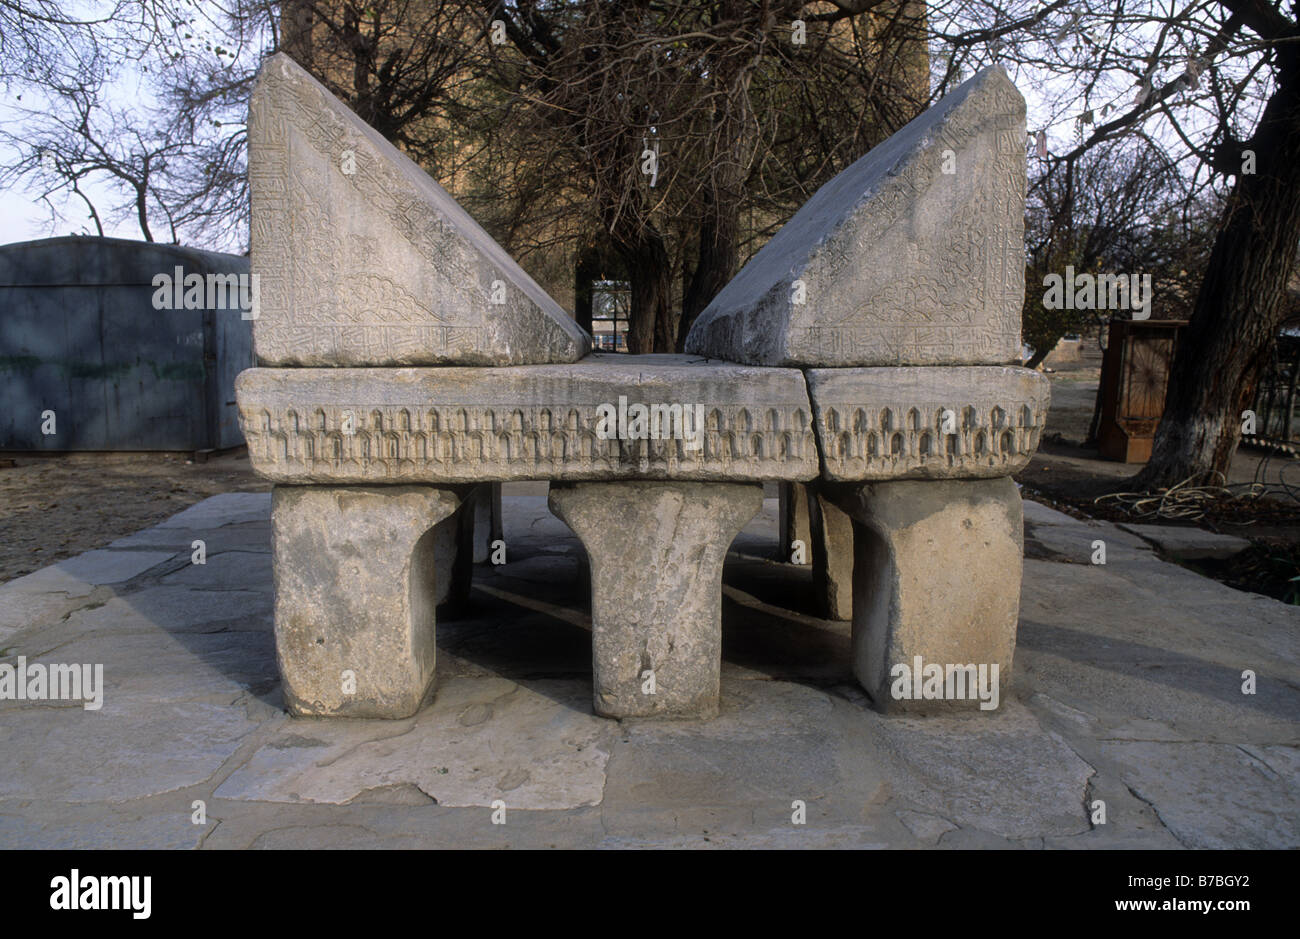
928	423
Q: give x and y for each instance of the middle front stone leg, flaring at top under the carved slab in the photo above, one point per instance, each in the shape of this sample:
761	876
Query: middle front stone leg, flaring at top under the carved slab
657	555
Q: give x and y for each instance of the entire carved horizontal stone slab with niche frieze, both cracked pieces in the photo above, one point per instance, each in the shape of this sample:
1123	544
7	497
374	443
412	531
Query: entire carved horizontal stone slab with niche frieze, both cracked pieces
582	422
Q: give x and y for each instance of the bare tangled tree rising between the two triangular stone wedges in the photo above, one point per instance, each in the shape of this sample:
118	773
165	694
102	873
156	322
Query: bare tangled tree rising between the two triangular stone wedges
694	115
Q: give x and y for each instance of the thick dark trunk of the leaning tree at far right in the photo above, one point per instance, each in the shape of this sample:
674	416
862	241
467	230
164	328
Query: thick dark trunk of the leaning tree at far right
1240	306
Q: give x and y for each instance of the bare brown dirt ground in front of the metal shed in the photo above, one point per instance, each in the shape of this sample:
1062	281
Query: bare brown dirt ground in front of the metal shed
58	507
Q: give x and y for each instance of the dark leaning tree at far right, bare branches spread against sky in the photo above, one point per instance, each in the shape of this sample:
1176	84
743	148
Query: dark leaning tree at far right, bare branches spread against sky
1217	85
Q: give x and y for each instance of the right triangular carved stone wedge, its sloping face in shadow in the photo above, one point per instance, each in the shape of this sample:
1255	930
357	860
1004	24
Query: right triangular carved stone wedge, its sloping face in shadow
912	257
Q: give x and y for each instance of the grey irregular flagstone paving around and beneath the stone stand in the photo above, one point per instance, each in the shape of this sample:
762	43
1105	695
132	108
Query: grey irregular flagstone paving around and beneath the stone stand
1128	690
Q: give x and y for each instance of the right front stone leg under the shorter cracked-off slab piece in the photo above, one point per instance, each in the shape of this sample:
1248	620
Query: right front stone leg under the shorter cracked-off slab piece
937	577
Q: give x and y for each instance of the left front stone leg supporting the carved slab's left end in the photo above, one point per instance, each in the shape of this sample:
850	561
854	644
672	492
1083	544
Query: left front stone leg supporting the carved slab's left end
356	595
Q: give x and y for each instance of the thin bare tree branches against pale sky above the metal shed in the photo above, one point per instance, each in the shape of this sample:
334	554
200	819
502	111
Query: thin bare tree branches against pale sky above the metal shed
176	162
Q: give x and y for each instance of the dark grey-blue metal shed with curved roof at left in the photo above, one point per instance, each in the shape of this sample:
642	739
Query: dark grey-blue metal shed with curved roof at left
80	336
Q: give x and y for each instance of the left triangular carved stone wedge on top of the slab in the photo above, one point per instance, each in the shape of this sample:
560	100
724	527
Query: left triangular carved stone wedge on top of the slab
365	261
